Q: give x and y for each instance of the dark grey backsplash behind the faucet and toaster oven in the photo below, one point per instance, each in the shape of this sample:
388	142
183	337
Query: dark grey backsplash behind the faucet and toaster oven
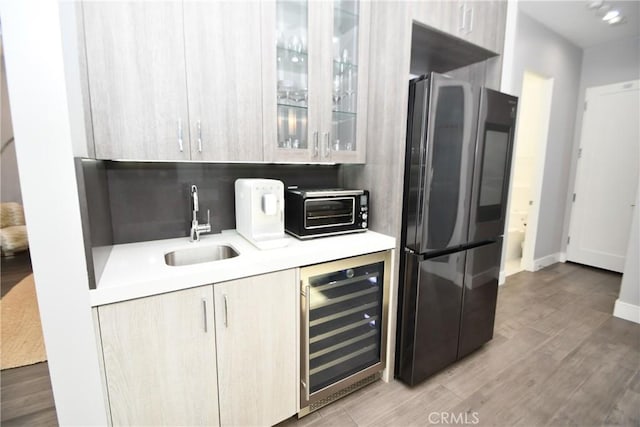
150	201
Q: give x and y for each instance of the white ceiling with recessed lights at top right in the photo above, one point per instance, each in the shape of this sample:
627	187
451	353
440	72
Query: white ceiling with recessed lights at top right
577	23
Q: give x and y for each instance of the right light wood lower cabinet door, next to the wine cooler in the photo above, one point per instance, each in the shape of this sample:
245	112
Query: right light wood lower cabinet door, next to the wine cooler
256	337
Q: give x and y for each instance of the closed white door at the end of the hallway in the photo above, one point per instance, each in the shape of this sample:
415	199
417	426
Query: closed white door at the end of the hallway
607	176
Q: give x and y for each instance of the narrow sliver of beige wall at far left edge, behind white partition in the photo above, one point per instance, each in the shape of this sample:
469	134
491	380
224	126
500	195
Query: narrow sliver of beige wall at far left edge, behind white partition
10	182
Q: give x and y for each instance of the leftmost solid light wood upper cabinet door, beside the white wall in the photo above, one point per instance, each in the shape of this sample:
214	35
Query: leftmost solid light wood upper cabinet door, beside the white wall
136	74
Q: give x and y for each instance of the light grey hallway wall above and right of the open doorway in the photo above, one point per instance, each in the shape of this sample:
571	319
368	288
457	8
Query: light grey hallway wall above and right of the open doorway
540	50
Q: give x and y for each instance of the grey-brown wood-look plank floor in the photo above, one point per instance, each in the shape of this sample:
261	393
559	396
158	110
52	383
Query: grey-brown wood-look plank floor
558	357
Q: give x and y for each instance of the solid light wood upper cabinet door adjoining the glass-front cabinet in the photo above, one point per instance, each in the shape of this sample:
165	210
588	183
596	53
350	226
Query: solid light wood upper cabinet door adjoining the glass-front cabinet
223	51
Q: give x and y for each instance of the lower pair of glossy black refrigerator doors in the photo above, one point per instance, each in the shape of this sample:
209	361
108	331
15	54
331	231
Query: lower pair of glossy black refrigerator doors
448	309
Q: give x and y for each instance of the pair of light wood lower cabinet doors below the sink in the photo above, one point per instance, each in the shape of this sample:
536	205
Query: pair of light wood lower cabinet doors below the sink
181	359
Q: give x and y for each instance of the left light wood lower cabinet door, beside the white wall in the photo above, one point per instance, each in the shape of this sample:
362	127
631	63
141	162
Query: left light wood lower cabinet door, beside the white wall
160	359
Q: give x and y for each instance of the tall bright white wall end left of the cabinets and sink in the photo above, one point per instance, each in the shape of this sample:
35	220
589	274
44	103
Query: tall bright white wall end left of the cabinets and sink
43	131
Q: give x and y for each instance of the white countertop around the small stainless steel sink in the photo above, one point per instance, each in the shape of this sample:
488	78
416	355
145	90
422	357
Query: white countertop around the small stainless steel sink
137	270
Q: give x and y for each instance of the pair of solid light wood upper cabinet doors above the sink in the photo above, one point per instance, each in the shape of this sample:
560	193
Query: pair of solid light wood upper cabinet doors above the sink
174	80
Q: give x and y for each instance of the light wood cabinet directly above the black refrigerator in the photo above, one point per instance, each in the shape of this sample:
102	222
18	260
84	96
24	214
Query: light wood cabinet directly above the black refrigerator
479	22
